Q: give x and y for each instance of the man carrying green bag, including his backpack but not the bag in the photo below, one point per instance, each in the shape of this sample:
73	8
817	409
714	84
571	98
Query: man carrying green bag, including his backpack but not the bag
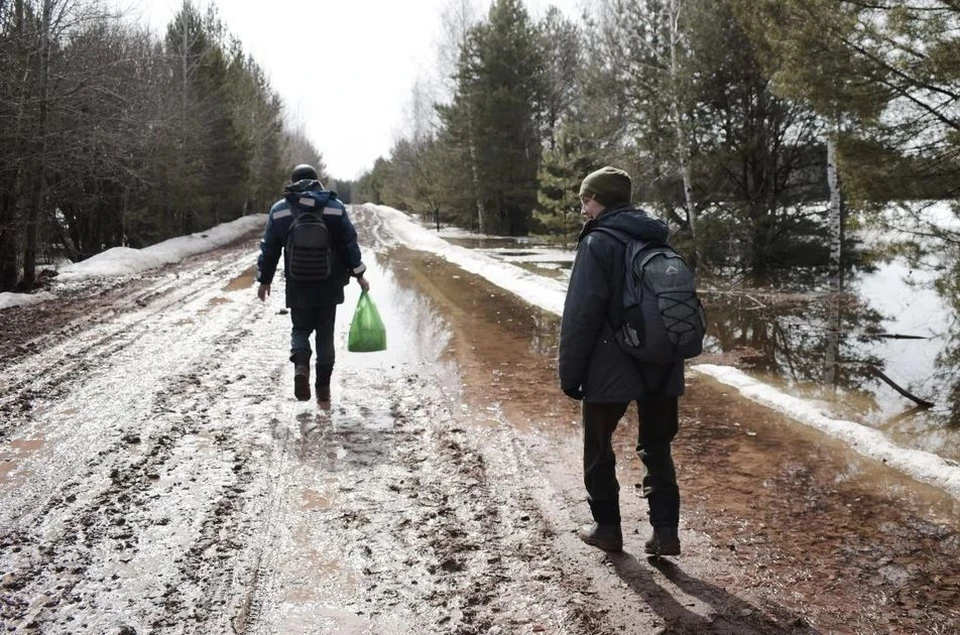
310	227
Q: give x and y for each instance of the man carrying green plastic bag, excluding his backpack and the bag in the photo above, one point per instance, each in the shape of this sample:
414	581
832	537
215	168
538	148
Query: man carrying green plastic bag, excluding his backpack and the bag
313	305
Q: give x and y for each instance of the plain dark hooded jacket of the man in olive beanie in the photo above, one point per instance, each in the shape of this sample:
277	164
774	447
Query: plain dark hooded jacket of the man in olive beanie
590	357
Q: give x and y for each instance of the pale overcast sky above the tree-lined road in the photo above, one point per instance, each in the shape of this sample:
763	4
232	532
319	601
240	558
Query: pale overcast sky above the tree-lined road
344	68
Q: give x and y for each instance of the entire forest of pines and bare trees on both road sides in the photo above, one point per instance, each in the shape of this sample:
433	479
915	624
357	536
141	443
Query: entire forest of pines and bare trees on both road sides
763	130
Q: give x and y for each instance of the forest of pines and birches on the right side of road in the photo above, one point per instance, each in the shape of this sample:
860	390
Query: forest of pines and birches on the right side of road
761	129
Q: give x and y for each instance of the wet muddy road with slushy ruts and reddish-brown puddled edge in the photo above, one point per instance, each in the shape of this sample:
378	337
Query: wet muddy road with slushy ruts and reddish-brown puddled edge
157	476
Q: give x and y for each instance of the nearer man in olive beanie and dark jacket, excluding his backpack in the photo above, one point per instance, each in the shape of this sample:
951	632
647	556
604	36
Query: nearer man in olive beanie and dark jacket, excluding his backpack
593	368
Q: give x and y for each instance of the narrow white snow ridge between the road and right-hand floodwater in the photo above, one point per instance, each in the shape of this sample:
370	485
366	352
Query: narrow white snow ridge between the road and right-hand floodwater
549	294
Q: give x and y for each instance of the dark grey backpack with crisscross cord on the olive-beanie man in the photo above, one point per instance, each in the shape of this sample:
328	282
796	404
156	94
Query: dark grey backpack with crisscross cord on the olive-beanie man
664	321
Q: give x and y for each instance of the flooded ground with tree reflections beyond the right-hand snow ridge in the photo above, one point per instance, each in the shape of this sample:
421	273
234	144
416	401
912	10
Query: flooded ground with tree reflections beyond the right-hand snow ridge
827	348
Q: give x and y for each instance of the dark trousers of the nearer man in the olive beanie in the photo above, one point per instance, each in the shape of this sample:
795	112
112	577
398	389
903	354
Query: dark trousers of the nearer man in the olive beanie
658	426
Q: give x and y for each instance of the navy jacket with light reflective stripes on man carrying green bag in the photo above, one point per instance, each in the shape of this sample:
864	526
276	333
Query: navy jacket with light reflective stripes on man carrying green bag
298	197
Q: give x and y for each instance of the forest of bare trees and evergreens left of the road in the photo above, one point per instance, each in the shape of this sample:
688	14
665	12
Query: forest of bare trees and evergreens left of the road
112	136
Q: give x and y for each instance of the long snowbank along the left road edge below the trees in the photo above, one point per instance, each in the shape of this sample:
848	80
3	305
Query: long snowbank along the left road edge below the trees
121	261
